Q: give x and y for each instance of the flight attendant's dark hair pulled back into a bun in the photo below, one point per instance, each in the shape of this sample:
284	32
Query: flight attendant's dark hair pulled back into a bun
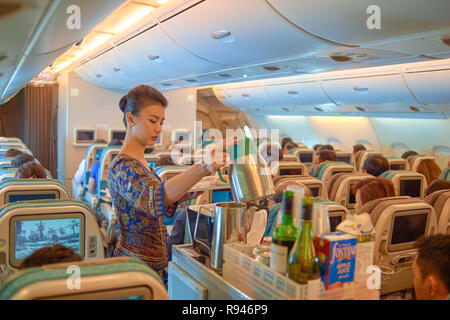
138	98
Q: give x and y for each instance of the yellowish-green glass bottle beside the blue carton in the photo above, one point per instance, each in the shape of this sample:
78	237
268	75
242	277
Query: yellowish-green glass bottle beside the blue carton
304	264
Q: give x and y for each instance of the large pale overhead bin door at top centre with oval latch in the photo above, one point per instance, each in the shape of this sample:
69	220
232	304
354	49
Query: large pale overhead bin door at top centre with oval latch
236	33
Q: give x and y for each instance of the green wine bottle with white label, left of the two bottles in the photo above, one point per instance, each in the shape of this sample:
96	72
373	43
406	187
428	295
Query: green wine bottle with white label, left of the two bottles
284	235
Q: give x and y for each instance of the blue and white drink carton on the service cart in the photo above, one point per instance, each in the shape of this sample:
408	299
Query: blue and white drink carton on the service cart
337	254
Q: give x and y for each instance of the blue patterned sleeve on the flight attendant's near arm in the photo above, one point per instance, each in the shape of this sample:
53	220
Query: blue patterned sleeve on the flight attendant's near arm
141	191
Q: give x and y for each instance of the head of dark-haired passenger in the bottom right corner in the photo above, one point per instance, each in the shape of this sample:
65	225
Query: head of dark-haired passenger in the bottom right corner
431	267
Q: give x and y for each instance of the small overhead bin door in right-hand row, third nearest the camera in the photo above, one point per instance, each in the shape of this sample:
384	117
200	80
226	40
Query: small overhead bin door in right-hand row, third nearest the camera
299	94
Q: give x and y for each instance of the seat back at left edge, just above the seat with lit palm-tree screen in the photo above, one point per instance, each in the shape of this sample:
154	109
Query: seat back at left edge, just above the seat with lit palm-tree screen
31	189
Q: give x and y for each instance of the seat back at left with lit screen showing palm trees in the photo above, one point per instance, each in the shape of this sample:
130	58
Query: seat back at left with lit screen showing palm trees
31	225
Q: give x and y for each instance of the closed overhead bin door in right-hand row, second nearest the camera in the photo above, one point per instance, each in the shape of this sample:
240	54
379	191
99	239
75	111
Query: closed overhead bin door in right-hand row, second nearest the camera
369	90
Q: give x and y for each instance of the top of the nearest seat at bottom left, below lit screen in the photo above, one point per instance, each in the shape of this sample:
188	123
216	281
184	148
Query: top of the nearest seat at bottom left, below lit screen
118	278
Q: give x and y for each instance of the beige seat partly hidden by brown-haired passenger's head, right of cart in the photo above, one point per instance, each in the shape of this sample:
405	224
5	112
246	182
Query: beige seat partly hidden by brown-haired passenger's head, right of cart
341	191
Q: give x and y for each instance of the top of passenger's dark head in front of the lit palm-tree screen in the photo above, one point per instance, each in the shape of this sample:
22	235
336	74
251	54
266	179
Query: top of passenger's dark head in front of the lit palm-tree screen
50	255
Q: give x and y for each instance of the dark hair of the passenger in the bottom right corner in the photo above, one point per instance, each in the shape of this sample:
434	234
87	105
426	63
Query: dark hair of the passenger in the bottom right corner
433	256
